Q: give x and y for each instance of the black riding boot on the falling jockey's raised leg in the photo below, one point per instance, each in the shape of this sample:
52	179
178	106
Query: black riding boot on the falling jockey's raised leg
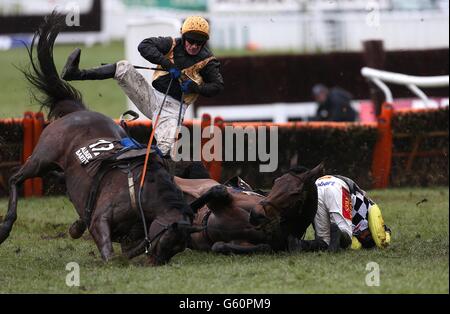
71	71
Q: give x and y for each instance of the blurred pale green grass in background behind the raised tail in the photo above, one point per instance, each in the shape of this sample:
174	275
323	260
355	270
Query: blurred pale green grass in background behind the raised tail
105	96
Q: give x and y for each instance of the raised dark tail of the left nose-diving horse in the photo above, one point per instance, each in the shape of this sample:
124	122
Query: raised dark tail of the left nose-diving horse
59	97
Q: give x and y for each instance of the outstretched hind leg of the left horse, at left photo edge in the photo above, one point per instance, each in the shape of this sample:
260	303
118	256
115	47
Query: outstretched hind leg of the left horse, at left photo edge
33	167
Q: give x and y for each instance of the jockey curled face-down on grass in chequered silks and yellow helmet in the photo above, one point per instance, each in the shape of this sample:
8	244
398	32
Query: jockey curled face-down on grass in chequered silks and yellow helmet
345	217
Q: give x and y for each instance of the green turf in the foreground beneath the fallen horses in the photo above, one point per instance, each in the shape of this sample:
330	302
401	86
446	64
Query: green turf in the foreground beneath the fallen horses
34	258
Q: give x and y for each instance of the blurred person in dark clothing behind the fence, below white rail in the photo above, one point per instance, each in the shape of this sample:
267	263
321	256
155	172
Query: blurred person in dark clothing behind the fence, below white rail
334	104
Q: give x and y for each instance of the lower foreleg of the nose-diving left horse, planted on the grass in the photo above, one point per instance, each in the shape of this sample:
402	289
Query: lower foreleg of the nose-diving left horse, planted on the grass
101	232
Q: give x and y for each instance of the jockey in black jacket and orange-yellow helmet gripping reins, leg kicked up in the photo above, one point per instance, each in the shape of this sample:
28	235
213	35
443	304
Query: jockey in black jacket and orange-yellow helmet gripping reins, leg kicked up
186	60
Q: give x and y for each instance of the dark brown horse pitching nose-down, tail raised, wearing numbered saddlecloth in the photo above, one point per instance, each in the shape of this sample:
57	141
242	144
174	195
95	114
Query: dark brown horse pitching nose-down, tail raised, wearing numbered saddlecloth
114	218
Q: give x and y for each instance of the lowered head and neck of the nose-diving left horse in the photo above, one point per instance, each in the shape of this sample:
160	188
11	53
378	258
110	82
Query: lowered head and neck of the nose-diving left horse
171	227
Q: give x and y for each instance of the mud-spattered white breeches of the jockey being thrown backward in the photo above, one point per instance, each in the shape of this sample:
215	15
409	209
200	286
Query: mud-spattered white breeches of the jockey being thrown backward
148	101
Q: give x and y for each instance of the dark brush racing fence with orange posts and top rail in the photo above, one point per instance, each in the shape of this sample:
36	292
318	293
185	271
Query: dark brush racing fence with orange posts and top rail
403	148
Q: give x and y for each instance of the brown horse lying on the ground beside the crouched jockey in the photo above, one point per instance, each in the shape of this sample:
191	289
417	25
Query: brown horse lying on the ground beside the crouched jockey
237	221
